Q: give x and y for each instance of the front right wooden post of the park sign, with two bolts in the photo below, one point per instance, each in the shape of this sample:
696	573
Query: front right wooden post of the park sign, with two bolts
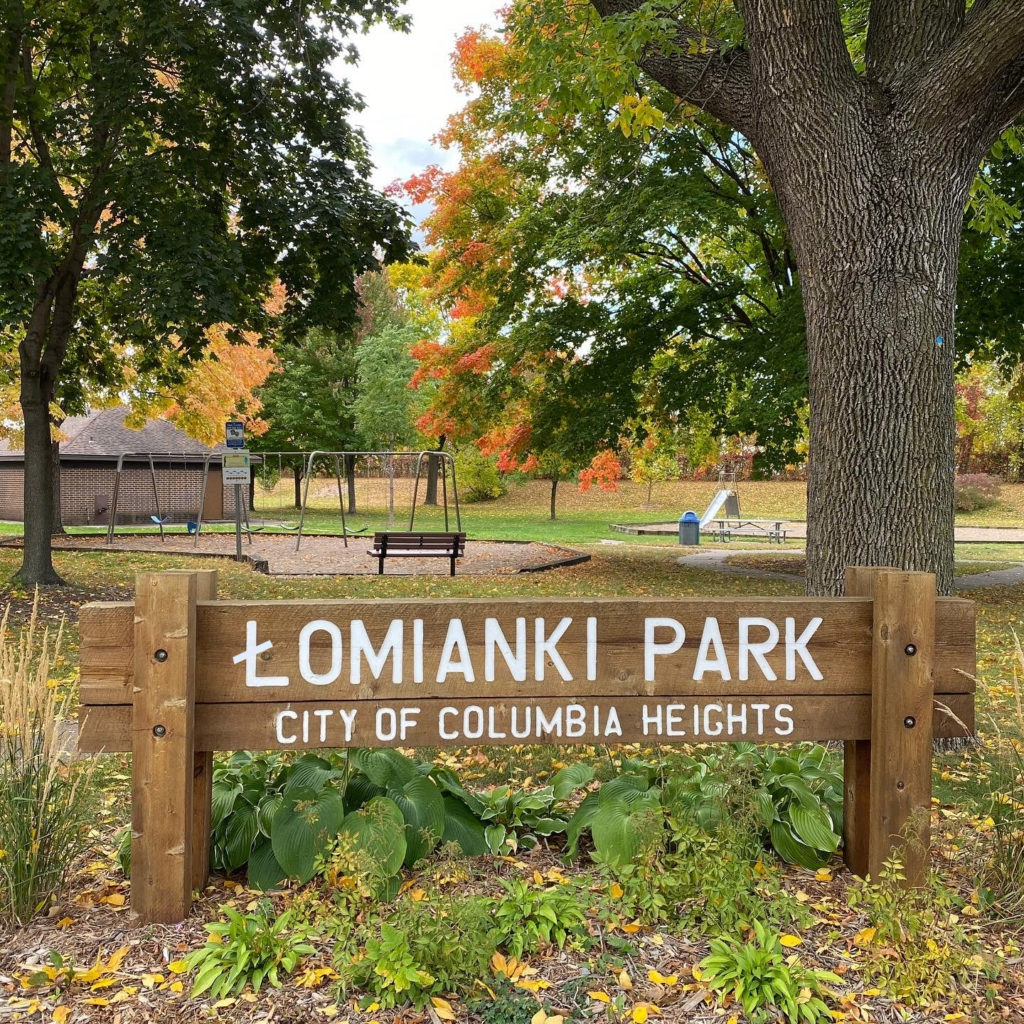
904	645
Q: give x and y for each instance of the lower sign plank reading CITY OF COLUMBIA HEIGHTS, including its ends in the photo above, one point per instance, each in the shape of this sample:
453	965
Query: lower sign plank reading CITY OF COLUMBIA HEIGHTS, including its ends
308	726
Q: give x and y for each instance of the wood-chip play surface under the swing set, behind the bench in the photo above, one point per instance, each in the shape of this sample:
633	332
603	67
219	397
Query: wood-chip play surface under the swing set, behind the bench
325	556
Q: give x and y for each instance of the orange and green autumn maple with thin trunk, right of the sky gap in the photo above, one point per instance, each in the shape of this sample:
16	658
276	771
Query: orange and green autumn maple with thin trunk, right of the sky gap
514	396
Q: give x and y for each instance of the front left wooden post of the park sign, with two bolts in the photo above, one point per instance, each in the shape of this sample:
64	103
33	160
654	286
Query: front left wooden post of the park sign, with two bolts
163	749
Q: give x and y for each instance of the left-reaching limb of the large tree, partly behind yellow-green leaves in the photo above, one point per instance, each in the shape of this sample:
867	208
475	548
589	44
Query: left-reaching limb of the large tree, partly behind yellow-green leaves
717	81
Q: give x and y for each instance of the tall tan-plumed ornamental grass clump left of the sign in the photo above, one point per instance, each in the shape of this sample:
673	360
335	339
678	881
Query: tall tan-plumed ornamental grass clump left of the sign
46	796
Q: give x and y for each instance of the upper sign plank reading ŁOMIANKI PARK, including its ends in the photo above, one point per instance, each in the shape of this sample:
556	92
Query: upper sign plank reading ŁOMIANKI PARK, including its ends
247	651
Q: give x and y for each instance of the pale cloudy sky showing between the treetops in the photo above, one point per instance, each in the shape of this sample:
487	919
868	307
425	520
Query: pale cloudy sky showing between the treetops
407	83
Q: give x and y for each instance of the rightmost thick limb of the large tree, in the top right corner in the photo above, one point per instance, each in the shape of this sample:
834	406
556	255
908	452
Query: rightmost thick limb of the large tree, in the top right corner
973	89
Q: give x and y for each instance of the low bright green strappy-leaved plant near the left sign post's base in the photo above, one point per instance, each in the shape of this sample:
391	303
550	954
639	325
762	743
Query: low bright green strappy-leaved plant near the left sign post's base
251	949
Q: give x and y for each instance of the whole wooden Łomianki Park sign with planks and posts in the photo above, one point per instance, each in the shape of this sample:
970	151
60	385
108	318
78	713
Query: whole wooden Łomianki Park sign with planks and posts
181	674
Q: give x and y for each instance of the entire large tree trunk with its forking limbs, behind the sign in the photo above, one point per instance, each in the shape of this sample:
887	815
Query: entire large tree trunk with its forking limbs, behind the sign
873	170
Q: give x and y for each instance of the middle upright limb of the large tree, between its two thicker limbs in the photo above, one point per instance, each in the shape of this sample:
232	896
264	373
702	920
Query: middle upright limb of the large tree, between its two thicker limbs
905	34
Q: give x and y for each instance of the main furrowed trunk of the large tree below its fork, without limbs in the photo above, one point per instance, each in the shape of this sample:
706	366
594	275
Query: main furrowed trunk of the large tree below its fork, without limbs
875	212
